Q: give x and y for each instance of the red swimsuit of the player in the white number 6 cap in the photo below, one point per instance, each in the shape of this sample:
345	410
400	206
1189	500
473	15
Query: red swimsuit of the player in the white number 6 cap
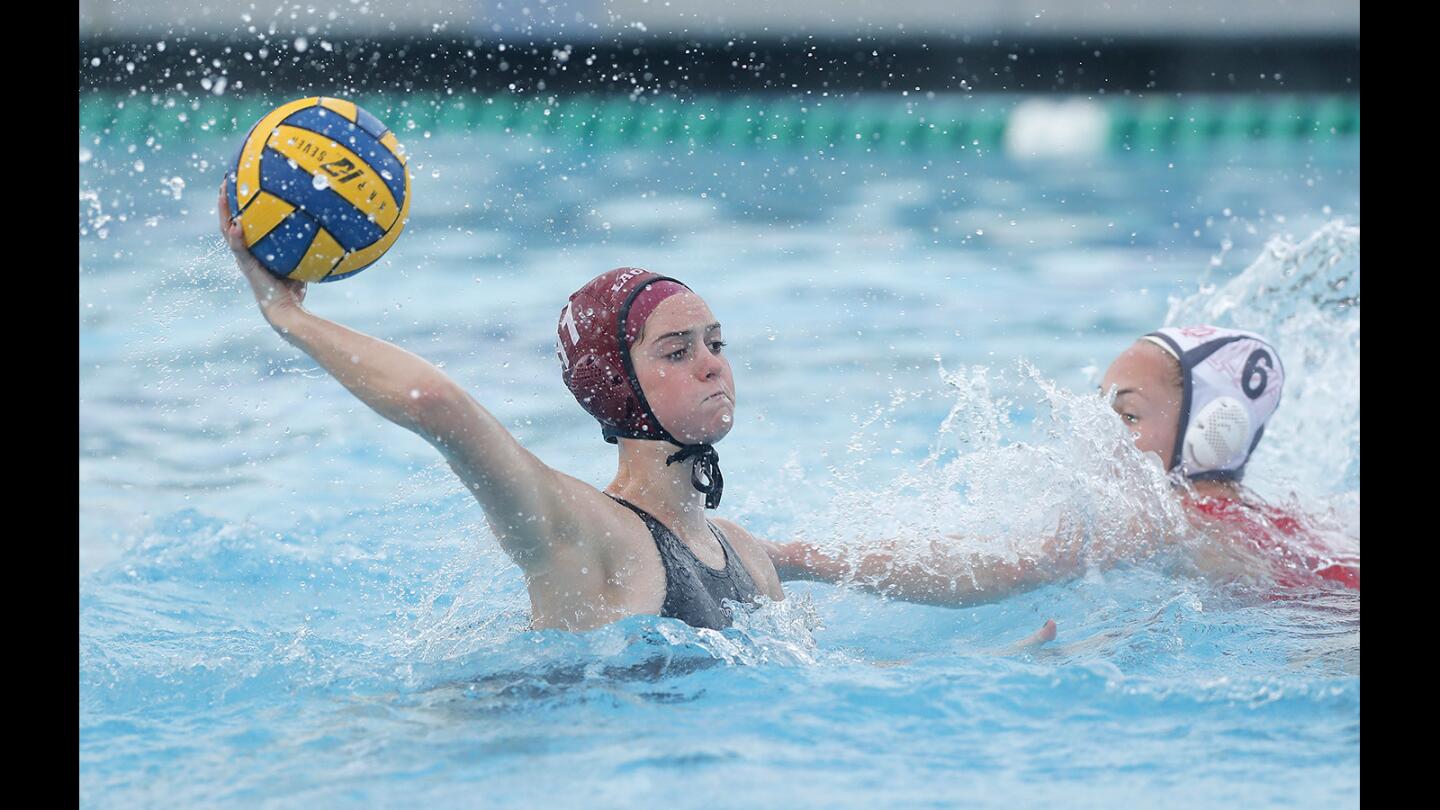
1302	560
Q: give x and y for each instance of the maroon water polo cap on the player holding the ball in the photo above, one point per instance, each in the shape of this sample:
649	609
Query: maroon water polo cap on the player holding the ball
594	339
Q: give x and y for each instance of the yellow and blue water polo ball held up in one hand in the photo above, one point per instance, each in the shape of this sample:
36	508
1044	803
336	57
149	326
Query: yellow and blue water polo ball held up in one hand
322	190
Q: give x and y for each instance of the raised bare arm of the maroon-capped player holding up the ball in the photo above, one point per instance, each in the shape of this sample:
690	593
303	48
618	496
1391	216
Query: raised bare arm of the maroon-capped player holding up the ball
516	489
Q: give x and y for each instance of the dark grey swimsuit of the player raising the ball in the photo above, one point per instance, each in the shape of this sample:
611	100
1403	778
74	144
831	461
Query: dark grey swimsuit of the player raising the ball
693	590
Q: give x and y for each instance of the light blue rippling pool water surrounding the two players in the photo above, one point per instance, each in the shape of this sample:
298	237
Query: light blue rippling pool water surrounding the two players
289	603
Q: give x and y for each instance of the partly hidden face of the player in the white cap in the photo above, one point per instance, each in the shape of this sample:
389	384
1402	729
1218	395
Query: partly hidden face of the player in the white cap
1148	396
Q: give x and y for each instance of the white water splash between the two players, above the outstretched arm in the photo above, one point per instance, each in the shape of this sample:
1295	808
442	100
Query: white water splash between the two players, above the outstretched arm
1016	463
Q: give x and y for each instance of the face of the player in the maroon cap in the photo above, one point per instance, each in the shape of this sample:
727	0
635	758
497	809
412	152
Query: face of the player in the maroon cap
685	373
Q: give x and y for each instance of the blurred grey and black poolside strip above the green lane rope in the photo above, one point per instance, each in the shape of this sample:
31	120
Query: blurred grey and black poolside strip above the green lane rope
631	47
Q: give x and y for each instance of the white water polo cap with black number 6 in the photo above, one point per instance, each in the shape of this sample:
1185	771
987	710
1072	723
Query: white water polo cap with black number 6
1232	386
